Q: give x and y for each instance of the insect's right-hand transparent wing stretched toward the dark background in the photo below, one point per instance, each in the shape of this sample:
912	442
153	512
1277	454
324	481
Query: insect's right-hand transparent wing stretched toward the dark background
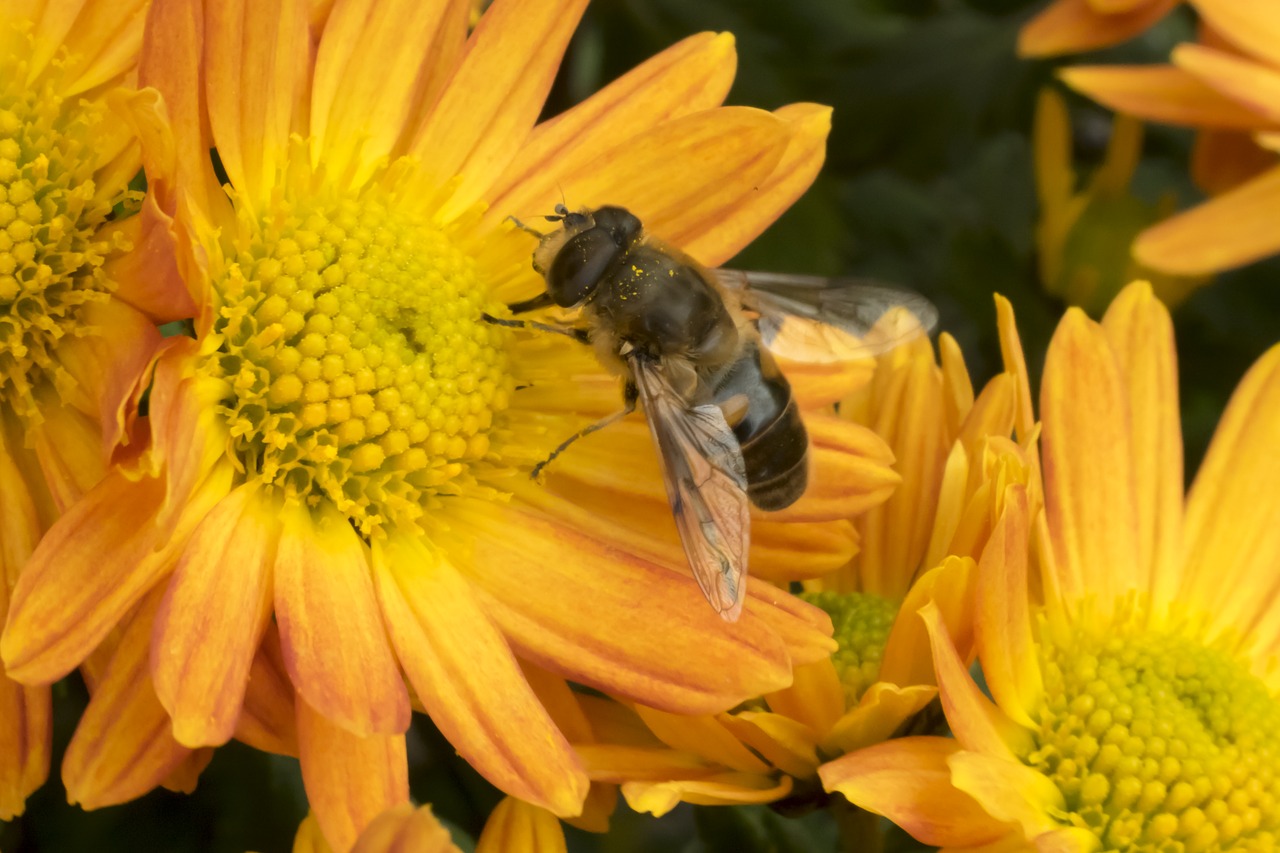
815	320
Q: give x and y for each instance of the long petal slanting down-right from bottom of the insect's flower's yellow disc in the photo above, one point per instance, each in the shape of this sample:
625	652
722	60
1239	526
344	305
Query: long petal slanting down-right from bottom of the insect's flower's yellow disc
469	681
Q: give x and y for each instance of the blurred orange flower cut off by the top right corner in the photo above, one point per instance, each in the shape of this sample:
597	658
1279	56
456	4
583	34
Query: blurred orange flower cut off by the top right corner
1229	88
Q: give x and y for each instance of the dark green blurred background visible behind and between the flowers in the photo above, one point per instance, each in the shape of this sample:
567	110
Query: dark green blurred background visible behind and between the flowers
929	184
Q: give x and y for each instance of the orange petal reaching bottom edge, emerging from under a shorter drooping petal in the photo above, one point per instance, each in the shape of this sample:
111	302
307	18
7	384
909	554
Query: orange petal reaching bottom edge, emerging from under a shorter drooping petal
350	781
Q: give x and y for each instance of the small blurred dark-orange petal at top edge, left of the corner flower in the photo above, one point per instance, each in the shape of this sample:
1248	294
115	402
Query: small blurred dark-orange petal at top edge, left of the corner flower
1078	26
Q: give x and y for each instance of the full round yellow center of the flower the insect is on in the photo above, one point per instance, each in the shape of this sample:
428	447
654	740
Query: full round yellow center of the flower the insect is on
358	367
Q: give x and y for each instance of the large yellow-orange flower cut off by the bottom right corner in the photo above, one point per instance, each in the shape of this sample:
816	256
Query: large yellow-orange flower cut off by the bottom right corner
1127	638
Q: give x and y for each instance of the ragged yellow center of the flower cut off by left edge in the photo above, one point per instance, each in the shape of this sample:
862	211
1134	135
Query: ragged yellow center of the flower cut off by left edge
51	215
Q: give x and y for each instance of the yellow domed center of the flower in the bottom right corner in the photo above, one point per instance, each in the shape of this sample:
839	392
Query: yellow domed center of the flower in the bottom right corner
1160	743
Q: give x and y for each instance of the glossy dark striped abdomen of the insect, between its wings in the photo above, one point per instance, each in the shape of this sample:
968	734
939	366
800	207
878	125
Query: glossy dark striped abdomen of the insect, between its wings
771	435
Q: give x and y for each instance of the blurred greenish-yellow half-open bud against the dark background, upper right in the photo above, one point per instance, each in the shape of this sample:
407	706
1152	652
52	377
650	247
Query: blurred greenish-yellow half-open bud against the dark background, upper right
1085	235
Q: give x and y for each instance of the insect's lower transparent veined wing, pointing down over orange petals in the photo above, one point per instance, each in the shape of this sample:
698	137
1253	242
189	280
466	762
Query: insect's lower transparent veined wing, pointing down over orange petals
706	478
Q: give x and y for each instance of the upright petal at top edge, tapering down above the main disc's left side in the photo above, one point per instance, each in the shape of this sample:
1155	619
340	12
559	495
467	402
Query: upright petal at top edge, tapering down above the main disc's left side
255	56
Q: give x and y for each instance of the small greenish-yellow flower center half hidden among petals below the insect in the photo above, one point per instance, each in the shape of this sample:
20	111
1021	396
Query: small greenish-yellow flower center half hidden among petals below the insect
862	626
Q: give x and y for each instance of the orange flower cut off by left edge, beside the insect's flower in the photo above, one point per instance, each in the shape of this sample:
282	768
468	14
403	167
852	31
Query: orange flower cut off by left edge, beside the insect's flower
83	281
